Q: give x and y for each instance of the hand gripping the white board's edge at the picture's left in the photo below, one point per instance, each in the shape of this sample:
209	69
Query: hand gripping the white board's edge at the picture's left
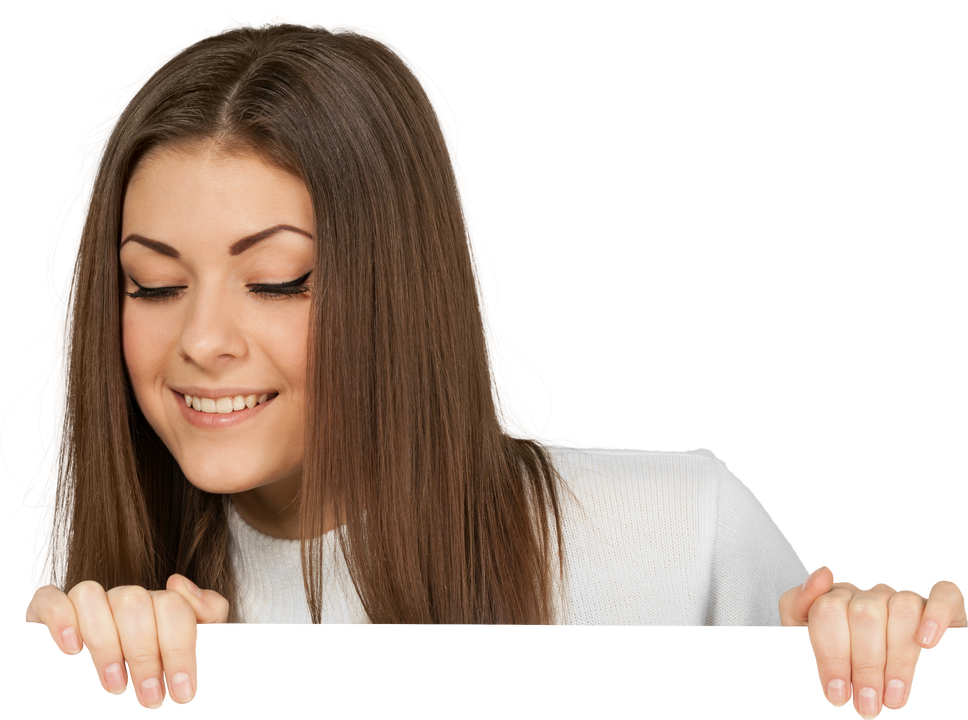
148	638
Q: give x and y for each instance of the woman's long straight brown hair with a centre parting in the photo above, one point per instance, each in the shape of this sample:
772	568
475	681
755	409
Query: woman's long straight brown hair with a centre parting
404	415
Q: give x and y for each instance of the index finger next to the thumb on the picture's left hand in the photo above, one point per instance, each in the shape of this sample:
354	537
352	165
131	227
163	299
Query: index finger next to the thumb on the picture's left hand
178	641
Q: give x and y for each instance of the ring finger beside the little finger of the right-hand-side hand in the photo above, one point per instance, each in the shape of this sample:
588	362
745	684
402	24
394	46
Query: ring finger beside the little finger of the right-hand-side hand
904	611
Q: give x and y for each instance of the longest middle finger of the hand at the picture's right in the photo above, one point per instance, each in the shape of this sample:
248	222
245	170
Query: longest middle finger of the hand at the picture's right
867	617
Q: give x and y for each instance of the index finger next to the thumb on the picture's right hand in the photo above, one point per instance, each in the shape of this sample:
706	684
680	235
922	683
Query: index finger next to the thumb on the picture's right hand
828	638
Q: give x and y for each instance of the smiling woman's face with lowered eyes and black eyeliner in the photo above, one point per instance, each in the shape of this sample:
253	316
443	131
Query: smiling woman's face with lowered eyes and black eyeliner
216	335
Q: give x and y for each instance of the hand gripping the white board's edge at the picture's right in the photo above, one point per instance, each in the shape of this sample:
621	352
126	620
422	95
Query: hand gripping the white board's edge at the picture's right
871	638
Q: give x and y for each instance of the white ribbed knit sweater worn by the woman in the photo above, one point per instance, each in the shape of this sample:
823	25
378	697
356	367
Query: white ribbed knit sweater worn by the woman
669	539
